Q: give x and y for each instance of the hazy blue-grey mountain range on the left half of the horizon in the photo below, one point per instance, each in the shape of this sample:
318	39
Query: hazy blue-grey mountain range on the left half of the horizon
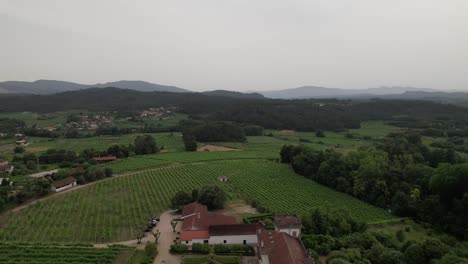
52	86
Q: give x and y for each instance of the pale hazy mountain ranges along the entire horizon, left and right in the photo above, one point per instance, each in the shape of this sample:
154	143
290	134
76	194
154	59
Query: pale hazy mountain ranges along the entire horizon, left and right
44	87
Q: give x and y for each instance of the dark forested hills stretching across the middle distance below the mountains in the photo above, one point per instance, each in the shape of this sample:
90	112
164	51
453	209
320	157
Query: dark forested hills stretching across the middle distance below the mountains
302	115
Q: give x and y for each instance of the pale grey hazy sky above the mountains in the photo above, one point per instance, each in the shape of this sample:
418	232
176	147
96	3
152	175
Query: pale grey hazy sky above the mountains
238	44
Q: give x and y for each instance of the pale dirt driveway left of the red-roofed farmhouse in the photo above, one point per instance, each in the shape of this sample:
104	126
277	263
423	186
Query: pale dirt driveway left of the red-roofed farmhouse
166	238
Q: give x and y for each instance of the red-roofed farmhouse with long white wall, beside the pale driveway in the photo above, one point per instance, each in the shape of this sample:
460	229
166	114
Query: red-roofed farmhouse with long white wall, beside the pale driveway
201	226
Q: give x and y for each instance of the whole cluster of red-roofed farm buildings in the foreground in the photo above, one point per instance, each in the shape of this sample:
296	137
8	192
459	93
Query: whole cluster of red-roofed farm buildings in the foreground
279	246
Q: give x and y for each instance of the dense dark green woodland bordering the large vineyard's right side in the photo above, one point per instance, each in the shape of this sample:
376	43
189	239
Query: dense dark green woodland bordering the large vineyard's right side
400	173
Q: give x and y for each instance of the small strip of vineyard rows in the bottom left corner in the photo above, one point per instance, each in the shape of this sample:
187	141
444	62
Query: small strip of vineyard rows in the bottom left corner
31	254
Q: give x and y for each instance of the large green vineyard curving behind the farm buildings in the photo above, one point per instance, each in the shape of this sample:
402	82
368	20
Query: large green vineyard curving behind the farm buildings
117	209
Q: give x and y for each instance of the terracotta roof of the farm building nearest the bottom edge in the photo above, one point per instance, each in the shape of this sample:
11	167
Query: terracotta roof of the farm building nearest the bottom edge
282	248
